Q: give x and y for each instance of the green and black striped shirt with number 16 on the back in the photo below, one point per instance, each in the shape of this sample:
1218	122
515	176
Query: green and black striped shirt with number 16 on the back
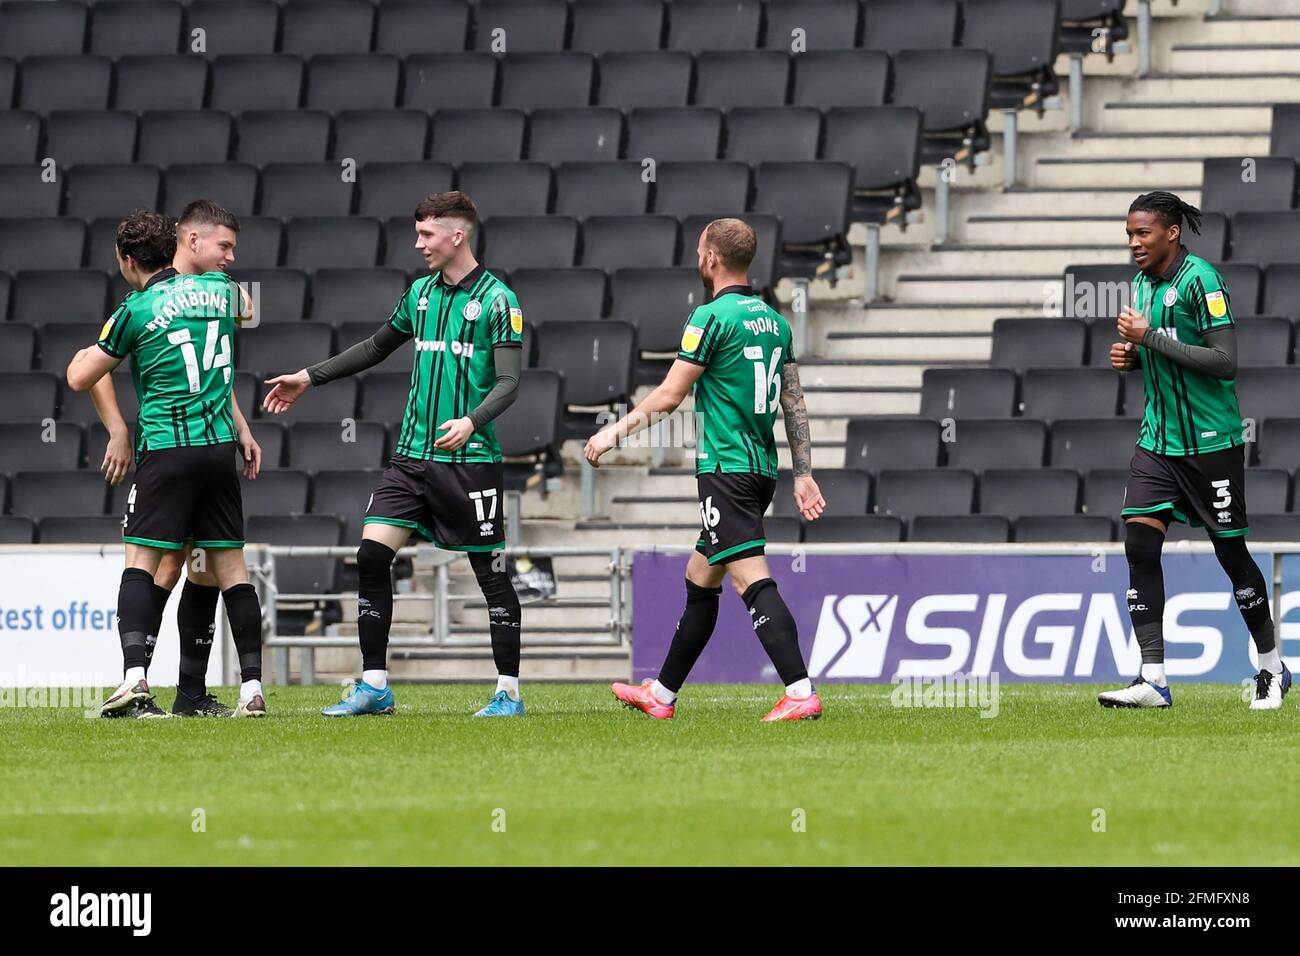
744	345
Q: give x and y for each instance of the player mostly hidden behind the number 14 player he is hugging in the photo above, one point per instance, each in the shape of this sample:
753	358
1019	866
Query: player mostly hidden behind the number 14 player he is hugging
207	236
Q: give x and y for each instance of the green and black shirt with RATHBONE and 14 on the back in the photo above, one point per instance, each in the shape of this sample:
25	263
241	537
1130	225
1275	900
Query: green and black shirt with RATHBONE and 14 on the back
180	335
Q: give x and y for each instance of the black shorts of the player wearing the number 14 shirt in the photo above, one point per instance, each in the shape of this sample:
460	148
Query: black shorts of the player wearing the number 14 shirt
187	494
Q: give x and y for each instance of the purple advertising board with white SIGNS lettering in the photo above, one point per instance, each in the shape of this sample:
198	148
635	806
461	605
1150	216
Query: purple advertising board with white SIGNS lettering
874	618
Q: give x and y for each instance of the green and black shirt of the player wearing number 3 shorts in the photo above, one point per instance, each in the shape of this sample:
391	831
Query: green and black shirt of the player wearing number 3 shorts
1188	413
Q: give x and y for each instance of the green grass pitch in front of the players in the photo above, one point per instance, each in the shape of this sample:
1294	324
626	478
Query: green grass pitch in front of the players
583	781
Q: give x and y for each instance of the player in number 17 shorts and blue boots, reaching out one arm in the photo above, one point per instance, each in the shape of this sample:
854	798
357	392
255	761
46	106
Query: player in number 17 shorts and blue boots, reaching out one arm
444	482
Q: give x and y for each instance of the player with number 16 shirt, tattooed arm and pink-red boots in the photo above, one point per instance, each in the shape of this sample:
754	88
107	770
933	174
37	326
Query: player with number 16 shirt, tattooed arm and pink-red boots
736	354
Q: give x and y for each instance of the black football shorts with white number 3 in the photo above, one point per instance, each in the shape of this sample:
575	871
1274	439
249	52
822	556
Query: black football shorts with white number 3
1203	491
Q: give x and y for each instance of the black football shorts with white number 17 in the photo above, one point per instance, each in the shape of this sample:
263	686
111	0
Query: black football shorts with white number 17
460	507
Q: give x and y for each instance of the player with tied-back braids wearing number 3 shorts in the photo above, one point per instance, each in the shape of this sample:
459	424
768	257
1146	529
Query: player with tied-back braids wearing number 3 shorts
1190	462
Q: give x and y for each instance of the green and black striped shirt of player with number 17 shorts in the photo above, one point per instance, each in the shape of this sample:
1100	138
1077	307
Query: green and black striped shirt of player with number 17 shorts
456	330
